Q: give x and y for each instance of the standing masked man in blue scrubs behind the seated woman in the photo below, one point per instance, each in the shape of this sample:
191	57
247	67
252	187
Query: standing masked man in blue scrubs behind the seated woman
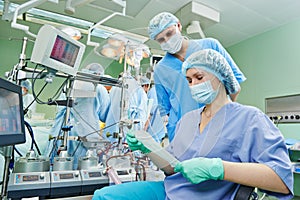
174	98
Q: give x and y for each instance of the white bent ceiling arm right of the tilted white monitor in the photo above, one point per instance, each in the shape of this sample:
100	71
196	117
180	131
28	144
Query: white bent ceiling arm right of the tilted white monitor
122	4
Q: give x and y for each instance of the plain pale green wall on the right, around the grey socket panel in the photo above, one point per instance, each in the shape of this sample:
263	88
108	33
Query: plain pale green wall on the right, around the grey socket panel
271	64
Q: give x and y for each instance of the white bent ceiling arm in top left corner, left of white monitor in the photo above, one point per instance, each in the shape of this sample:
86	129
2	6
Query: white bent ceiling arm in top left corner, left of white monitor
22	9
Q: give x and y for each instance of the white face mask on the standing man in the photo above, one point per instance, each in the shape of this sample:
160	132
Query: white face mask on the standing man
174	44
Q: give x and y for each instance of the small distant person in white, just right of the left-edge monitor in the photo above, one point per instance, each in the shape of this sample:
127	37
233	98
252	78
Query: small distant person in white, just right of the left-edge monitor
28	100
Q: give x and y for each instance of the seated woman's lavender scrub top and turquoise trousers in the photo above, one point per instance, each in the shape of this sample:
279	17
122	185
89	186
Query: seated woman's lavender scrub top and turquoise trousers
236	133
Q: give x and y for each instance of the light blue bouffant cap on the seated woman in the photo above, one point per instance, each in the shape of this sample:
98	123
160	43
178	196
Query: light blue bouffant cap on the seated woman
213	62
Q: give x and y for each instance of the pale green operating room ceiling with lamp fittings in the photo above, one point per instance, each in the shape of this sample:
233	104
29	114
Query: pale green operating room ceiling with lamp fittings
239	19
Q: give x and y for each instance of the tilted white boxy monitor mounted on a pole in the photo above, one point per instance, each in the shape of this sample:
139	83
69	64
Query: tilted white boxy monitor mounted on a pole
57	50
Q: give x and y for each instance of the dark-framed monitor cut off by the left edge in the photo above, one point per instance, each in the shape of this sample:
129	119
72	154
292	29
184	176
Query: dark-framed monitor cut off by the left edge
12	129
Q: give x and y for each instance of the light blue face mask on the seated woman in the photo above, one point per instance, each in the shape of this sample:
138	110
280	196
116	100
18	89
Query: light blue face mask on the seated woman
204	92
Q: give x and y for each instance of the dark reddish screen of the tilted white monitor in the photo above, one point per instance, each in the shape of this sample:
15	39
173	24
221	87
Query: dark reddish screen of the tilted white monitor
64	51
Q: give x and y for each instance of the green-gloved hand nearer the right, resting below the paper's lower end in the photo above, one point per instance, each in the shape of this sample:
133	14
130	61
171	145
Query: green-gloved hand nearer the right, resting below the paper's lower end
201	169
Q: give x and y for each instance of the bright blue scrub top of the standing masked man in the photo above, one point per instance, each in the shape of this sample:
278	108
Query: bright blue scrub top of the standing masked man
173	93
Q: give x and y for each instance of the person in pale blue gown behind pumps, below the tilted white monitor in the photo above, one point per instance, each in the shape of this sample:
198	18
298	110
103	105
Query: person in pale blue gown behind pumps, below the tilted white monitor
85	115
